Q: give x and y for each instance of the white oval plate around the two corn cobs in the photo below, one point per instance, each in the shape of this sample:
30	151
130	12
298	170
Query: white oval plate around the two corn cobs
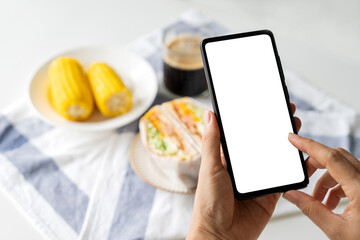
136	73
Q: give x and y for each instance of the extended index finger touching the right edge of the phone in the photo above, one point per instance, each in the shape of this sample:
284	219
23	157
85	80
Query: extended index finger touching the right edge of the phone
331	159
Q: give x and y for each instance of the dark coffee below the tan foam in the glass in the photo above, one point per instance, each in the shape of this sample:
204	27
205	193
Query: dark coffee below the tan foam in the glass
184	82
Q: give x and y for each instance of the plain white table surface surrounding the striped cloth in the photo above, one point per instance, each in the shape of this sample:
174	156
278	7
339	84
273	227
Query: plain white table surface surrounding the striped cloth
318	39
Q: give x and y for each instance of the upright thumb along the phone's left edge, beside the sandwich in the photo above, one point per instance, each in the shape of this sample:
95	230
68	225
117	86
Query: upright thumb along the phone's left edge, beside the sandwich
211	142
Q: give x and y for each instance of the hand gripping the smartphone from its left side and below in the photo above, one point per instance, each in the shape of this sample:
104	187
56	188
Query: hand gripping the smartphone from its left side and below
217	214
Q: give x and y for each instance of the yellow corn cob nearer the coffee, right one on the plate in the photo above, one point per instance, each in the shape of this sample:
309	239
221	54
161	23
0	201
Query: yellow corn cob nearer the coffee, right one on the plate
112	97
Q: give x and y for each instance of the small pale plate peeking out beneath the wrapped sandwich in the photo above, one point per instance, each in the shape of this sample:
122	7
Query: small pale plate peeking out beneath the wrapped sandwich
144	166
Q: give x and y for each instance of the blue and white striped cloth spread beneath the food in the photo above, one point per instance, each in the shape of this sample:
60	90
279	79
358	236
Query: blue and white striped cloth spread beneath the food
76	185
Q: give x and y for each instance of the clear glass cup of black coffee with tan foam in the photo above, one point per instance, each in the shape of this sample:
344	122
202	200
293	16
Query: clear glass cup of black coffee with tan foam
183	67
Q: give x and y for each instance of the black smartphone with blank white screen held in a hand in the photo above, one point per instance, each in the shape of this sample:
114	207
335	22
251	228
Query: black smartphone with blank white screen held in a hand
252	107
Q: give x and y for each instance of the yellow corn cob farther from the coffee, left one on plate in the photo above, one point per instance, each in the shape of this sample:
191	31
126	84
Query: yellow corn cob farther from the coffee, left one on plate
69	91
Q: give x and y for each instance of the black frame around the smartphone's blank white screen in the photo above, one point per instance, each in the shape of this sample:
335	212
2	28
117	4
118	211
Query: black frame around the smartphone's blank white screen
267	191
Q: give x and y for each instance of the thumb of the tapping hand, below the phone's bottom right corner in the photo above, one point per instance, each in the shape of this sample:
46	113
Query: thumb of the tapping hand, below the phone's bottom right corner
317	212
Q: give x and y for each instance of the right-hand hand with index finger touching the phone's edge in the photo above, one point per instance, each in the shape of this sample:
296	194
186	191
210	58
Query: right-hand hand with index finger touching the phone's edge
342	177
